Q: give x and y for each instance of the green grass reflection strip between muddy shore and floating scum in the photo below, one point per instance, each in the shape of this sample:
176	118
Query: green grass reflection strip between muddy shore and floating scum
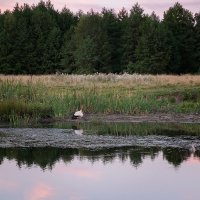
127	129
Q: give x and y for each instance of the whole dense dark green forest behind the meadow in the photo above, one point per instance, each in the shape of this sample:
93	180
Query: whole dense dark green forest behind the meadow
38	39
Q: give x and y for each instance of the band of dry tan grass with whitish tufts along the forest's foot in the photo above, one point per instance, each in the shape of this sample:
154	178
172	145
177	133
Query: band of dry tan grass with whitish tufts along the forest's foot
102	80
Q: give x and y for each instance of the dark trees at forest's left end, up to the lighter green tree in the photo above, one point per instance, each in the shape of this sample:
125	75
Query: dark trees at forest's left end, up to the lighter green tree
31	38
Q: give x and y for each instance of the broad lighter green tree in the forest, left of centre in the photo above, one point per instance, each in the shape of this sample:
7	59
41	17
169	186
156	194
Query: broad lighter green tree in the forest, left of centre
82	49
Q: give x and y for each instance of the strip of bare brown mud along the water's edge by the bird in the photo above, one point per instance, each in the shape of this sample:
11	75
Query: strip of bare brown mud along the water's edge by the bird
120	118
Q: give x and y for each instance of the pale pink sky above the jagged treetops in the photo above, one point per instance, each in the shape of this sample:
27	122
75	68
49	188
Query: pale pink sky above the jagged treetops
74	5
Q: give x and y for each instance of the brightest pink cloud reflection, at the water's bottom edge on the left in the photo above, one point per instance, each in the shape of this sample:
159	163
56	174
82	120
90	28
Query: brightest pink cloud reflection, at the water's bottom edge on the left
40	191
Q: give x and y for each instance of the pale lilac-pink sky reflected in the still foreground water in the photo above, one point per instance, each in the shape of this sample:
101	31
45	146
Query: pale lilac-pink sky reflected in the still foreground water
81	180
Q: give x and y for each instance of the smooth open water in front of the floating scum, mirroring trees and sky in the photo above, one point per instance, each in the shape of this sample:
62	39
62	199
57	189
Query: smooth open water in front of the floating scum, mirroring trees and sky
135	173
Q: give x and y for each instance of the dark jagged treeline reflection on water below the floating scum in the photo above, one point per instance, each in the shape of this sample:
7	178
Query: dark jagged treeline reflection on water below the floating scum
47	157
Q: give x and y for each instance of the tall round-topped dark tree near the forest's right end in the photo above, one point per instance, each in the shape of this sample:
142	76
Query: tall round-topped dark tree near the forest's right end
181	24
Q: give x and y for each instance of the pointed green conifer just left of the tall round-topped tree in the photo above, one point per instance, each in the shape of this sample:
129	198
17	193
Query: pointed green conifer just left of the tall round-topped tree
153	50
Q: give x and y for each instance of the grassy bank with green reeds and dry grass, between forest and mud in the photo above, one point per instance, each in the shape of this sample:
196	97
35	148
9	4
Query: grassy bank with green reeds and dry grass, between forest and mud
32	97
